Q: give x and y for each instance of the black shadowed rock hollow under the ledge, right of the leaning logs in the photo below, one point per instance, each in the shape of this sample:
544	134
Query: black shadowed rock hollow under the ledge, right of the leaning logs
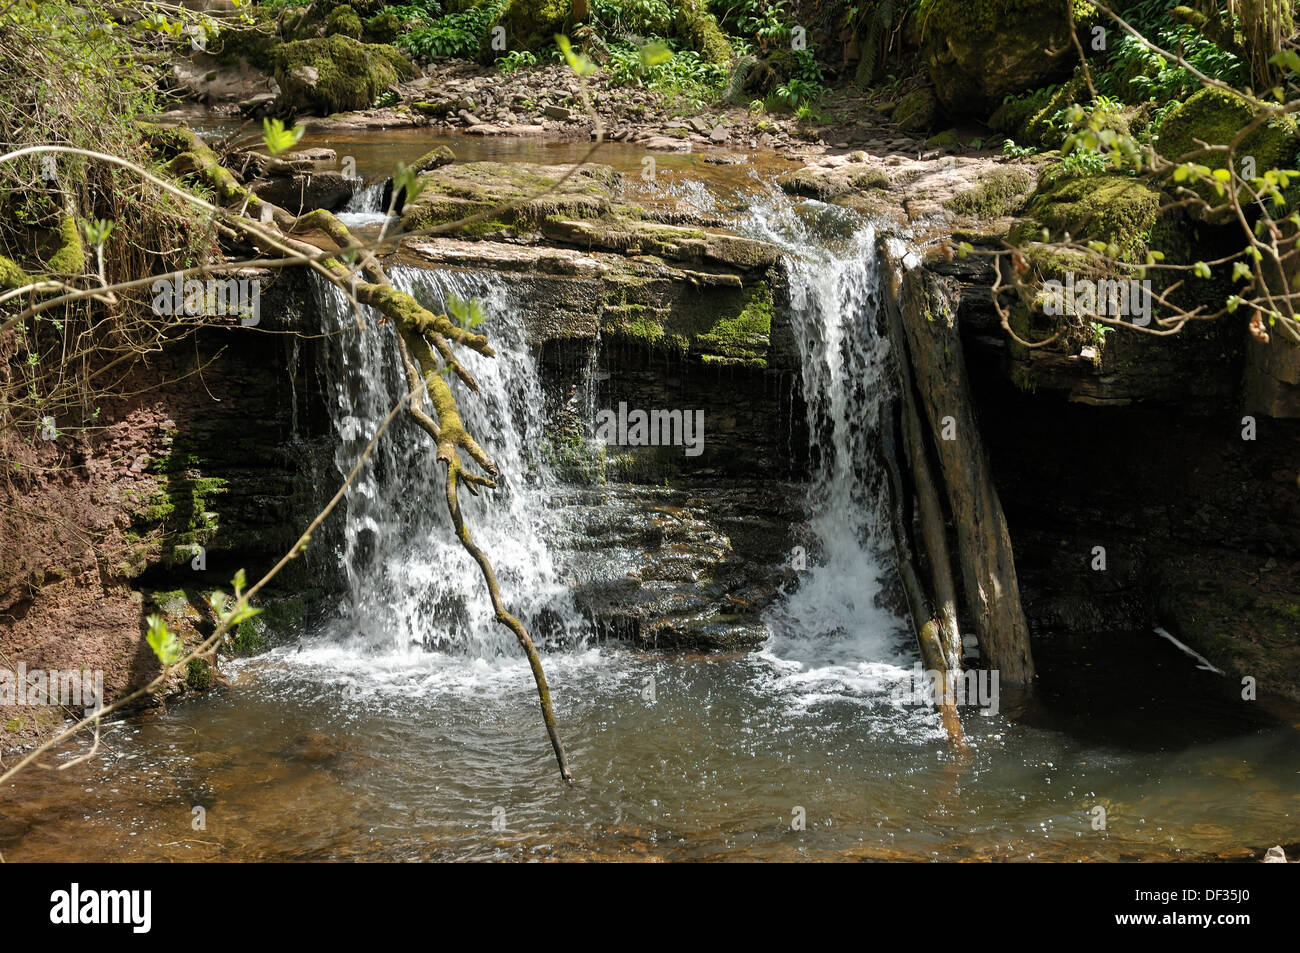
1201	529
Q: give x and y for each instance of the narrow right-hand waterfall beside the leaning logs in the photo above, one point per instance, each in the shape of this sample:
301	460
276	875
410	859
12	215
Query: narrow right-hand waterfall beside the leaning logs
831	627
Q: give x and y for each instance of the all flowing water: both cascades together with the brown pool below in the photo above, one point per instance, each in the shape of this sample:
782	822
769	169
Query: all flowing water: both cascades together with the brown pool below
408	726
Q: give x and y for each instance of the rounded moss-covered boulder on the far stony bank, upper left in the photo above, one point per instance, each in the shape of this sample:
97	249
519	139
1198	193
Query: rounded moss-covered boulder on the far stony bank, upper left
337	73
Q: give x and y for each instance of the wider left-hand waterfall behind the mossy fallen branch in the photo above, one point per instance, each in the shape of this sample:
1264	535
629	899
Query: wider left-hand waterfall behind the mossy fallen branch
410	584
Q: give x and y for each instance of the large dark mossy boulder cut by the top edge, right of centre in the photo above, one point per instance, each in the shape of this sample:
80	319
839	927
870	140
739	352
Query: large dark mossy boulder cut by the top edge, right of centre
982	51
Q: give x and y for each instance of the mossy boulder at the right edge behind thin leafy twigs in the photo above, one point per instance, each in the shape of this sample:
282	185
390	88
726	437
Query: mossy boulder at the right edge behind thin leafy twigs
1216	118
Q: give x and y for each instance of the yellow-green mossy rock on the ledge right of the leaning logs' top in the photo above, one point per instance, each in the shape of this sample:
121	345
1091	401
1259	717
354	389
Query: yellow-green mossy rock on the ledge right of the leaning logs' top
1116	210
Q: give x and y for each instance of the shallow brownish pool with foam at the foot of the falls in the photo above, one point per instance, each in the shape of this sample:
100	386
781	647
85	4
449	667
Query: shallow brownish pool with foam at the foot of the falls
320	752
